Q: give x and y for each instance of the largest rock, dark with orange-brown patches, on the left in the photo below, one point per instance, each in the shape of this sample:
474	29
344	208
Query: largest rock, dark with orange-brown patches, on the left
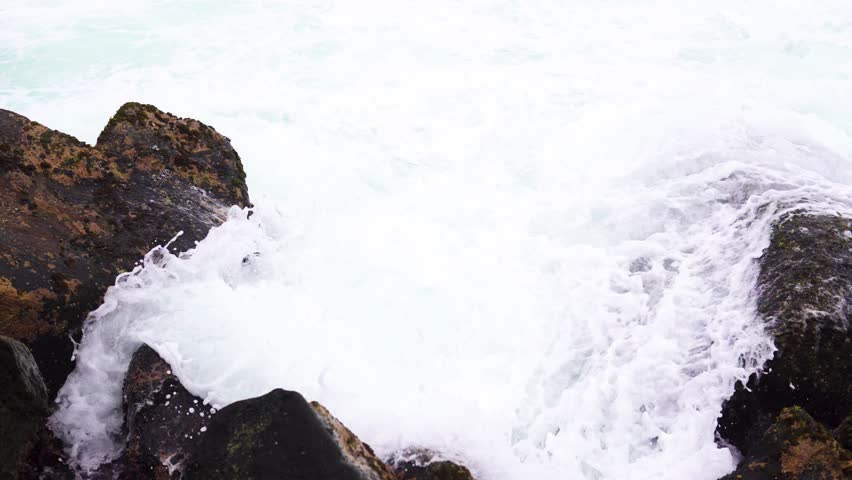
73	216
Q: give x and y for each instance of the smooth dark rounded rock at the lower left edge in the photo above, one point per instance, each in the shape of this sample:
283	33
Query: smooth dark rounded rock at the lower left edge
23	407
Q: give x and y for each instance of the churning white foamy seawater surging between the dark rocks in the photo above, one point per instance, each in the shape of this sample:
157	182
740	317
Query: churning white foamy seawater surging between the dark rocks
519	233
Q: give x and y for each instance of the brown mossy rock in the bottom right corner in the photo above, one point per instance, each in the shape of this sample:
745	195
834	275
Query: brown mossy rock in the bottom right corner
795	448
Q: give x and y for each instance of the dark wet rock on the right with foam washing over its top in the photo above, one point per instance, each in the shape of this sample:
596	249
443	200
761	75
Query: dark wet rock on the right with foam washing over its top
804	287
